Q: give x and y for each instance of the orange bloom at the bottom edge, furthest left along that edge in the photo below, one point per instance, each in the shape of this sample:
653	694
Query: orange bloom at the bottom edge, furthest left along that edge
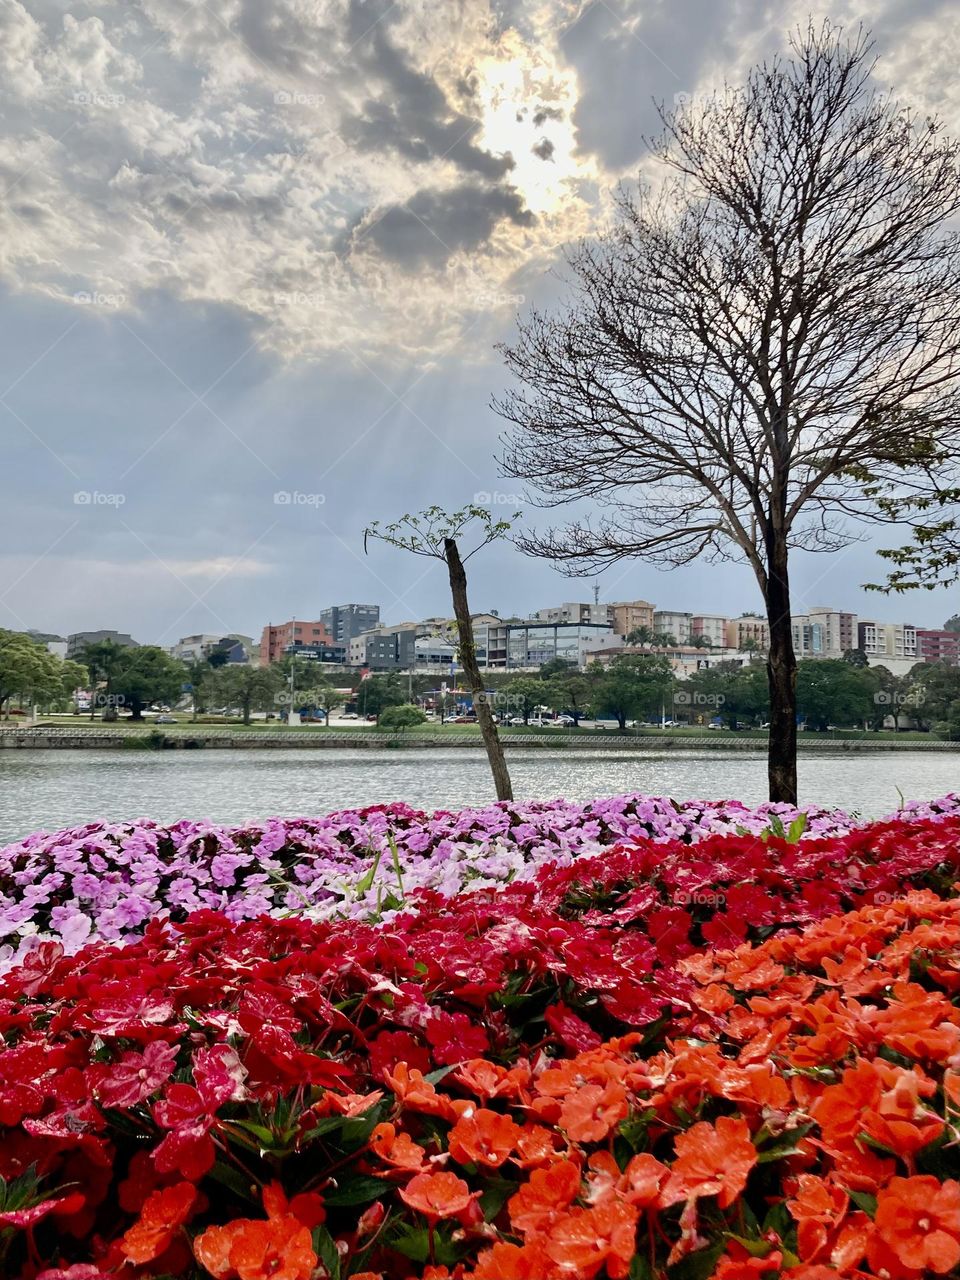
278	1249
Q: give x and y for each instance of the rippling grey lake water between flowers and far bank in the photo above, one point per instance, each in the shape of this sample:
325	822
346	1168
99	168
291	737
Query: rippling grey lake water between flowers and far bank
60	789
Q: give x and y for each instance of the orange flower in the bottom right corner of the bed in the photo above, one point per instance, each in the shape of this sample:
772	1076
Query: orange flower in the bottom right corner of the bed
918	1219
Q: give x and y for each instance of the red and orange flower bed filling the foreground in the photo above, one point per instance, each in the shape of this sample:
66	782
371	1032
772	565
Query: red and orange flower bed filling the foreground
728	1059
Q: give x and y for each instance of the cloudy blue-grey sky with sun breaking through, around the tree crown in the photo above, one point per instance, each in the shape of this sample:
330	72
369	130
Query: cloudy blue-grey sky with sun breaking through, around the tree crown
255	262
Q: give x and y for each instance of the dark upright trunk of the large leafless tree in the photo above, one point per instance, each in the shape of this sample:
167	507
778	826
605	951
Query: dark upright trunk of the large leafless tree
781	675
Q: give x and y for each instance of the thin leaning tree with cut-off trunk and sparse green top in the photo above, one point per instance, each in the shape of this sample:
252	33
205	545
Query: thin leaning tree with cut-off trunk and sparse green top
436	534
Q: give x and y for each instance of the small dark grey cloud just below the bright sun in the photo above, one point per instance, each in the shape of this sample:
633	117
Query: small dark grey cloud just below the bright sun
433	226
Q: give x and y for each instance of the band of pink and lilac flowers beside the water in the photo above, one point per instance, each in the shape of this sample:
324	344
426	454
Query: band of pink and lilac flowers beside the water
108	881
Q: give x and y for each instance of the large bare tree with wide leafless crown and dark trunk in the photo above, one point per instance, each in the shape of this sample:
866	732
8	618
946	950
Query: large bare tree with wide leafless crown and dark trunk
760	349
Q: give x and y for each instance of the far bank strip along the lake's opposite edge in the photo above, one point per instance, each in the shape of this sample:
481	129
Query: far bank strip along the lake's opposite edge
223	739
